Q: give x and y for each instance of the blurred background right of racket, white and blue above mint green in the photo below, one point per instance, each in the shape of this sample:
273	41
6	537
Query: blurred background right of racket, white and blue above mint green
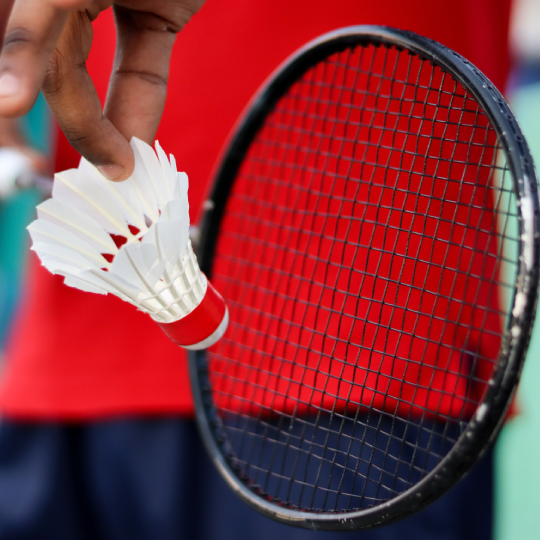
517	473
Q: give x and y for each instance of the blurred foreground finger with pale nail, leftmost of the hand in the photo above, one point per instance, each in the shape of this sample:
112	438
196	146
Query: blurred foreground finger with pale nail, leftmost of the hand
31	35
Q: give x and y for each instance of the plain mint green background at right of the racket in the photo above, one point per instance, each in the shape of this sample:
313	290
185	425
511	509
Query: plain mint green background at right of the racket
518	449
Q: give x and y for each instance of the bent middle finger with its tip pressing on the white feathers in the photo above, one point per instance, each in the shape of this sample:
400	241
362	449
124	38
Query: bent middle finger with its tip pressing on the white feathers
74	102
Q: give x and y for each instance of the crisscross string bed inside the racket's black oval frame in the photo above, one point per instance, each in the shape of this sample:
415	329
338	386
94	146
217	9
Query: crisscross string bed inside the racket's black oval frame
368	256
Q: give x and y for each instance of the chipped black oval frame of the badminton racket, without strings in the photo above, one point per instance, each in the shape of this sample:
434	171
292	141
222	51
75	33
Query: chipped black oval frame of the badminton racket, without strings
487	421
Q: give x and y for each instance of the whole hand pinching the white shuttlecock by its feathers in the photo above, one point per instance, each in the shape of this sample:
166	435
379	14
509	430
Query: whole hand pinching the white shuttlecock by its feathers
46	46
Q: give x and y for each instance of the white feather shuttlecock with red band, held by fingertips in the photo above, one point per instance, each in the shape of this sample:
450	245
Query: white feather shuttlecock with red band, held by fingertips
131	239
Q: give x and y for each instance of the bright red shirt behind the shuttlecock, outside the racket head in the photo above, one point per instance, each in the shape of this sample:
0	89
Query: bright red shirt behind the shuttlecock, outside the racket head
80	355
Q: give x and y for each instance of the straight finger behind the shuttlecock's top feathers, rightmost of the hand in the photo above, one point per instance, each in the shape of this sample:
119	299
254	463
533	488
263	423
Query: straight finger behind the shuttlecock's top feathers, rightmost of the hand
138	85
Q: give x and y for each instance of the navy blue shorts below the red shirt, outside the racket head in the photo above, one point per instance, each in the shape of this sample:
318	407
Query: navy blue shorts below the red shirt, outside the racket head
150	479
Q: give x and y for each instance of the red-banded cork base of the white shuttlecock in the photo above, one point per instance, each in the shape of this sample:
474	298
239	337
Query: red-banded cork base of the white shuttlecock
203	326
